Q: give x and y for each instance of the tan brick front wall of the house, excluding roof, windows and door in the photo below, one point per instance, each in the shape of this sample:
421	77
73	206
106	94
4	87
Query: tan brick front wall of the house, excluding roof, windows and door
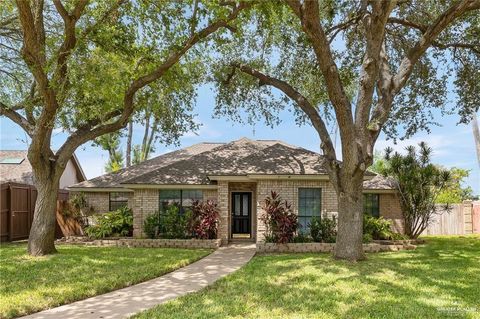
145	201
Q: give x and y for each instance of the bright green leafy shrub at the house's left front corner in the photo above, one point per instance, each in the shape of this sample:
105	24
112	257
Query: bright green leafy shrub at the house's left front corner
116	223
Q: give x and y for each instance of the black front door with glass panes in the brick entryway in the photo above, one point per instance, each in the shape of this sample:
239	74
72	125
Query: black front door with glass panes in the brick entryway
241	214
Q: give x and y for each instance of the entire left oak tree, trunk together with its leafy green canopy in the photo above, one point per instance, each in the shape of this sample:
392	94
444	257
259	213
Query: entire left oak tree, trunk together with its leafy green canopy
82	65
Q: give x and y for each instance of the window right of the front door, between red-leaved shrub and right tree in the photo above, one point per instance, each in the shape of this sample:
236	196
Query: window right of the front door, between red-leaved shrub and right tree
309	205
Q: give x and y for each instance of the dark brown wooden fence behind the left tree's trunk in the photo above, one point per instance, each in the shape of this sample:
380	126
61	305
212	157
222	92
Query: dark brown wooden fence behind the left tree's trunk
17	203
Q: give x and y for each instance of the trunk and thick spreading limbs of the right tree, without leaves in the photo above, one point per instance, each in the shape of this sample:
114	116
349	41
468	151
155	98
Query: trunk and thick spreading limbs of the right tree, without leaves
359	124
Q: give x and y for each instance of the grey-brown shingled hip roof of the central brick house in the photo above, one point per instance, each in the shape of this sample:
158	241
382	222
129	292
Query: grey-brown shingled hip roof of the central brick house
194	164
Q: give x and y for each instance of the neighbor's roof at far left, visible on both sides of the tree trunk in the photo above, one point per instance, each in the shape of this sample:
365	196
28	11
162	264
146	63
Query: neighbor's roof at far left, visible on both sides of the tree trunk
15	167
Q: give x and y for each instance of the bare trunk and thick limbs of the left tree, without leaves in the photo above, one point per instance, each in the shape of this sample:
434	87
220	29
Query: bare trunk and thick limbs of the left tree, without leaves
48	166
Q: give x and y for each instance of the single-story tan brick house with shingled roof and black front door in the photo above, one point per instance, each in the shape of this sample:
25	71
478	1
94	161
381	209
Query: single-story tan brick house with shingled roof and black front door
238	176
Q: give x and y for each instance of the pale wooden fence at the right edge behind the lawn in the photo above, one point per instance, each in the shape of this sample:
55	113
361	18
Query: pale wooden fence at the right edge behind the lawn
462	219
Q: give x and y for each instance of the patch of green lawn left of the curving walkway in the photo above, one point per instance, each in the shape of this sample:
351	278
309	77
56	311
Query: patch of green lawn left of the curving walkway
29	284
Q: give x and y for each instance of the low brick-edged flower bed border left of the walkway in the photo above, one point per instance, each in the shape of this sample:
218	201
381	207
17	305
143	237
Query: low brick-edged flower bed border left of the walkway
144	243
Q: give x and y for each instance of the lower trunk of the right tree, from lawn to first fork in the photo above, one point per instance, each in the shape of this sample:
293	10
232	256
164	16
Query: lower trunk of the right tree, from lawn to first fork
349	243
